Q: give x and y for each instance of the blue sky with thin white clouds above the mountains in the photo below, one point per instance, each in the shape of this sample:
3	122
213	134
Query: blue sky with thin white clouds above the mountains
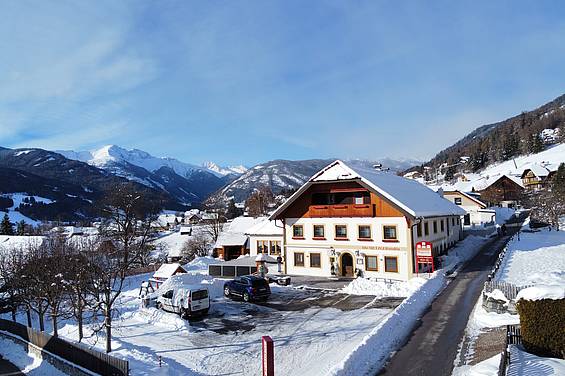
248	81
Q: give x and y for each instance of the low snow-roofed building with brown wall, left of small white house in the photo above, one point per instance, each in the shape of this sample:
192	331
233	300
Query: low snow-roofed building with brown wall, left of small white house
233	241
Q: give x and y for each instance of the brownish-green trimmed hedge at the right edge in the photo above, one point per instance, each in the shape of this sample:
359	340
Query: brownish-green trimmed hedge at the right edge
542	323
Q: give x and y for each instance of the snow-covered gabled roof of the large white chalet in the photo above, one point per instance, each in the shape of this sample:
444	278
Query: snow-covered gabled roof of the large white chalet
409	195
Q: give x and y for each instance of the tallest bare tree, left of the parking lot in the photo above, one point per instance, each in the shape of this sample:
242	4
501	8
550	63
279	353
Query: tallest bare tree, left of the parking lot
127	232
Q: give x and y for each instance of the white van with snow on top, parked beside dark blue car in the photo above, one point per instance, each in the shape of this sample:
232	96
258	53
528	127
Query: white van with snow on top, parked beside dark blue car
187	301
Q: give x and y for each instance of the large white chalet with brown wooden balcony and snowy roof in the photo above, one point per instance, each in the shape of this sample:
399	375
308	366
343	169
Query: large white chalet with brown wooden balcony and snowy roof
347	220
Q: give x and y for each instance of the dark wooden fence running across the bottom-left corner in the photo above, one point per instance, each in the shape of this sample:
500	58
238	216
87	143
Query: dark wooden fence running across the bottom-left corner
92	360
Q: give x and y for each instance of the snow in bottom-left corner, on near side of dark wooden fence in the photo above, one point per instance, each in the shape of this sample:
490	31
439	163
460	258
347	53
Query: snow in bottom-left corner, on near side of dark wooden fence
29	364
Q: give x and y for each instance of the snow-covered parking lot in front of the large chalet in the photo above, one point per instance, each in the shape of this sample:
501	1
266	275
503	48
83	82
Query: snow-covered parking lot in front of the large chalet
313	330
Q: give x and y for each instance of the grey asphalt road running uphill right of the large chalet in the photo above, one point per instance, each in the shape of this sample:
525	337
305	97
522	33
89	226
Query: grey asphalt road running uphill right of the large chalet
433	346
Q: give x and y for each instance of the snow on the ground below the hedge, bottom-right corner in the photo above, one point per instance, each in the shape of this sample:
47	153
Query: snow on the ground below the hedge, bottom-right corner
524	363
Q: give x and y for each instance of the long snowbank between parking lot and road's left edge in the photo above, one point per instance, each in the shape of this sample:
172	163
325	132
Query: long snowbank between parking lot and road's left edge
371	355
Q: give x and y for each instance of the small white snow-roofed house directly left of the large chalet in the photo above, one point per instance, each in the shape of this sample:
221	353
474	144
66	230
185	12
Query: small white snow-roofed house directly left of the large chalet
265	237
